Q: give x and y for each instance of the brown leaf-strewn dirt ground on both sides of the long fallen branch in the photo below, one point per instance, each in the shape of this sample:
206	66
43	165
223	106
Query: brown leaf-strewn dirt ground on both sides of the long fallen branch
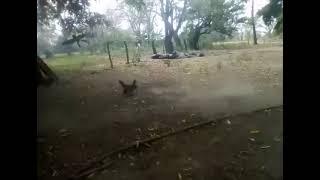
85	116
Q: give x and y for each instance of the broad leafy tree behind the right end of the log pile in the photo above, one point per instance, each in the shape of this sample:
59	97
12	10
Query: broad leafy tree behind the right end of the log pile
206	16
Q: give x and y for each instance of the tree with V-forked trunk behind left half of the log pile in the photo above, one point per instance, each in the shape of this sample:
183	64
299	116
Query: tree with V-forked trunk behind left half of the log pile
172	13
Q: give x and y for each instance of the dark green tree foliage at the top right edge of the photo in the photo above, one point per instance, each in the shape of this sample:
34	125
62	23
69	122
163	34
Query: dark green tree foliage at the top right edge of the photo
273	12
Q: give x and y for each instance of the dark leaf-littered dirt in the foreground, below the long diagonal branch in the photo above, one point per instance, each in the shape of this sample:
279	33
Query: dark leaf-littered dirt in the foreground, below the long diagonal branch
218	151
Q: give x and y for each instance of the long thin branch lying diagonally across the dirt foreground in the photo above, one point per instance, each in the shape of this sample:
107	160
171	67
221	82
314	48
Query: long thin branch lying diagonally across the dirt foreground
173	132
